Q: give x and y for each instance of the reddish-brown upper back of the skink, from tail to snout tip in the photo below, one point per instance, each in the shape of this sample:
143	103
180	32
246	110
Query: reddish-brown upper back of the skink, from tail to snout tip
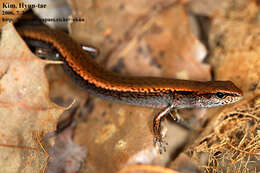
89	70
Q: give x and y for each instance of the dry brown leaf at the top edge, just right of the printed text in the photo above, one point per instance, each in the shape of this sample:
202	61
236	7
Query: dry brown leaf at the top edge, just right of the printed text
109	23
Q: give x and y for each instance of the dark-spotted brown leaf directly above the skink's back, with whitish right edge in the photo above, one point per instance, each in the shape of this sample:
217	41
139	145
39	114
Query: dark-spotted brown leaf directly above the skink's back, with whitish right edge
164	46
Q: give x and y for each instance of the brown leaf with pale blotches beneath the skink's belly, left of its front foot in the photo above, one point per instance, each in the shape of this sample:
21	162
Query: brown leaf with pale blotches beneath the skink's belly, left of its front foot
116	135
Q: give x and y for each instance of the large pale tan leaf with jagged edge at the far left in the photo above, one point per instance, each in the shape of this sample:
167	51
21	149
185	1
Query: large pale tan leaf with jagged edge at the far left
27	114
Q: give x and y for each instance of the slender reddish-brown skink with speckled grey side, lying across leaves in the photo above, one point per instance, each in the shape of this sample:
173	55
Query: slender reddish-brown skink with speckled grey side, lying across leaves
156	92
